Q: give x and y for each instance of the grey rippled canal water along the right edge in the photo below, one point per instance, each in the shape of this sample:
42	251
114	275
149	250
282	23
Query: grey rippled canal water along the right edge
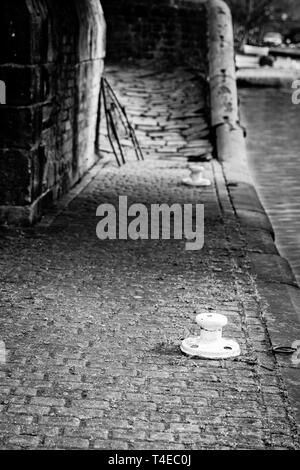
273	141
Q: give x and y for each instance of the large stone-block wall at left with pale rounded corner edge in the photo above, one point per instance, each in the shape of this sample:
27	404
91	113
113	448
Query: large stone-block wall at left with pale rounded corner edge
51	62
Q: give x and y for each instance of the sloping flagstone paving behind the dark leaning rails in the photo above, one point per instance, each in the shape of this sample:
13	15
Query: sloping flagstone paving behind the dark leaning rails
168	111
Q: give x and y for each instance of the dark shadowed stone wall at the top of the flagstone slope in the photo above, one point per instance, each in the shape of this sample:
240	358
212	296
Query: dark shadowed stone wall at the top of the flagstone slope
156	29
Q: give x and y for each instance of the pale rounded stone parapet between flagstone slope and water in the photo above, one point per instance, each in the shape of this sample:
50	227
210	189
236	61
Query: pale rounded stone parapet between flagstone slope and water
225	120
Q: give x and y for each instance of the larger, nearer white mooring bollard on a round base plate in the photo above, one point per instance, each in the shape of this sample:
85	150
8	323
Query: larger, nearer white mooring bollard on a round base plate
210	344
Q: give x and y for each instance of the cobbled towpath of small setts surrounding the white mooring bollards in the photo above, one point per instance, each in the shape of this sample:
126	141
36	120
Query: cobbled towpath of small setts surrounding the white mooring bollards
93	328
